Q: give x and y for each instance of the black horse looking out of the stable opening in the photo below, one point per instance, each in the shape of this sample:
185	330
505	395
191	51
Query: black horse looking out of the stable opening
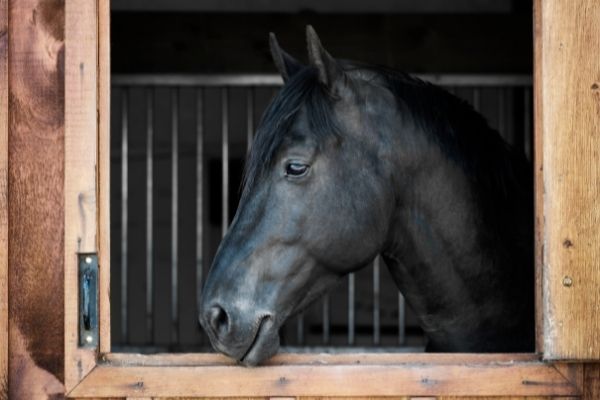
351	161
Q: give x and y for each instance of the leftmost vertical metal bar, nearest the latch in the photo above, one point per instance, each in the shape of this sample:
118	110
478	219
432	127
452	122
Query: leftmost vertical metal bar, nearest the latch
124	205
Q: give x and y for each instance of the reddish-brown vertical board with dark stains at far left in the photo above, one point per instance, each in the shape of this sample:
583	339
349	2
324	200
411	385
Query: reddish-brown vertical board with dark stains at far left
35	203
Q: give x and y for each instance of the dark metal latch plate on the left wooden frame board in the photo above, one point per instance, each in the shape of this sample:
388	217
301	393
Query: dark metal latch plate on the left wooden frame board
88	299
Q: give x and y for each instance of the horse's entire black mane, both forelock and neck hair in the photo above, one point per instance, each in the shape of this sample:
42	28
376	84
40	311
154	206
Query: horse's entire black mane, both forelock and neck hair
501	176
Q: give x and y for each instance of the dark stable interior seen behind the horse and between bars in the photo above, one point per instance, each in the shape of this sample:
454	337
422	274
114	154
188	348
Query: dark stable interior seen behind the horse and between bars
159	42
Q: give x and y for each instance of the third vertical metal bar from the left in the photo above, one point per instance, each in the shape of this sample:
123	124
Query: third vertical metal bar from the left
174	211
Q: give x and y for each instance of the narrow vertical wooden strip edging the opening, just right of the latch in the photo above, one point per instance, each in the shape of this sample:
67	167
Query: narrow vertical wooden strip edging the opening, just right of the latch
104	171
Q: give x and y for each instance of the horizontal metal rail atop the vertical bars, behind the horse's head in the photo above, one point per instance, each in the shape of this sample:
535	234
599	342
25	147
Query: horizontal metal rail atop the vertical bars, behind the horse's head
221	80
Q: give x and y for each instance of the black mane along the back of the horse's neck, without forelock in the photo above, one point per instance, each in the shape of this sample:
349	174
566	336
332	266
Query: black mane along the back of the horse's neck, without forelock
501	176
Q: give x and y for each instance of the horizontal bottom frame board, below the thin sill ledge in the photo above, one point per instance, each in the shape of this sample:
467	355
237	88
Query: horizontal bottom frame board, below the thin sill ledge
459	379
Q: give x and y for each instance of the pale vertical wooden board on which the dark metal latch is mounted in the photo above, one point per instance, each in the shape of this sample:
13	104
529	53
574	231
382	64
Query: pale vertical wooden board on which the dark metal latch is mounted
81	85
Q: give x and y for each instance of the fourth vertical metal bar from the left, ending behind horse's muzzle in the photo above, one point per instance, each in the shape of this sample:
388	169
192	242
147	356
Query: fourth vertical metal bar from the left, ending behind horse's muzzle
199	193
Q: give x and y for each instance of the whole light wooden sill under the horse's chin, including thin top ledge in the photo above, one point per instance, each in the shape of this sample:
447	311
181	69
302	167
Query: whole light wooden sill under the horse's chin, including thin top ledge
212	375
